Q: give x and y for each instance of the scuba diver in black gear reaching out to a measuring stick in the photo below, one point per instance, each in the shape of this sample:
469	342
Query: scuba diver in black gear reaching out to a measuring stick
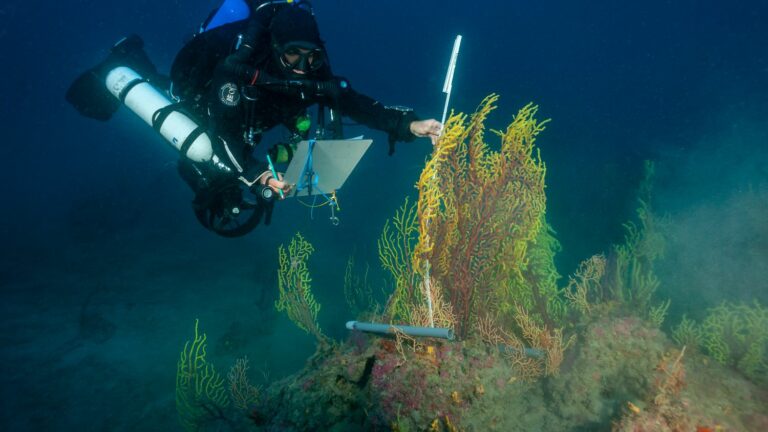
253	66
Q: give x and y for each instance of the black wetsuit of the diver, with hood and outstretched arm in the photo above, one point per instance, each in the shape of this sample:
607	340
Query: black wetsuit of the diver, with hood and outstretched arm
235	80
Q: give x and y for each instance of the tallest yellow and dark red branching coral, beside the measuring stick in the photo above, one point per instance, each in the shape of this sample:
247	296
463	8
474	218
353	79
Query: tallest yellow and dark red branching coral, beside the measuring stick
478	211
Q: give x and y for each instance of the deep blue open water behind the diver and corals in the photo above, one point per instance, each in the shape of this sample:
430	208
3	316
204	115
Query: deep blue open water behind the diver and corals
104	267
